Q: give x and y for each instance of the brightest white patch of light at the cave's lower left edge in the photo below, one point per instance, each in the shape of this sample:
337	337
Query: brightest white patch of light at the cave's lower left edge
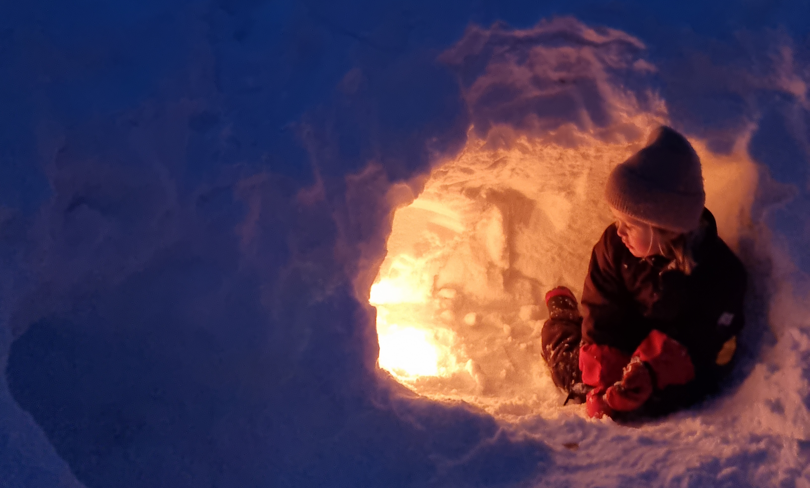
408	352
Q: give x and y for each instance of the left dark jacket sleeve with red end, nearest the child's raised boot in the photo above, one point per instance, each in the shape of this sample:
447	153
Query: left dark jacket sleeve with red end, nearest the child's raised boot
606	346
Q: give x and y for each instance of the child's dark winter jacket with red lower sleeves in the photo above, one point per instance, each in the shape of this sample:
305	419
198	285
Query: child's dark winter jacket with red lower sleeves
626	298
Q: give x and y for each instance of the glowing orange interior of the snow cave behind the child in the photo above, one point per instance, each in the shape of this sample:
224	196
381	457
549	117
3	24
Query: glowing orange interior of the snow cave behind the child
459	296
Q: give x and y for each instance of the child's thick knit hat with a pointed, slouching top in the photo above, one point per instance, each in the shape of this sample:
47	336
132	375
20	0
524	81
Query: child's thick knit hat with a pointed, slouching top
662	184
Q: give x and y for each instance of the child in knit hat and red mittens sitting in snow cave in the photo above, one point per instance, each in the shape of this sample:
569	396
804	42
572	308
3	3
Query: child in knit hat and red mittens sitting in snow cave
663	299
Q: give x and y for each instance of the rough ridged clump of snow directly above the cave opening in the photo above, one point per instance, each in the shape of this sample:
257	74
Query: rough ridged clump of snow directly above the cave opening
552	81
